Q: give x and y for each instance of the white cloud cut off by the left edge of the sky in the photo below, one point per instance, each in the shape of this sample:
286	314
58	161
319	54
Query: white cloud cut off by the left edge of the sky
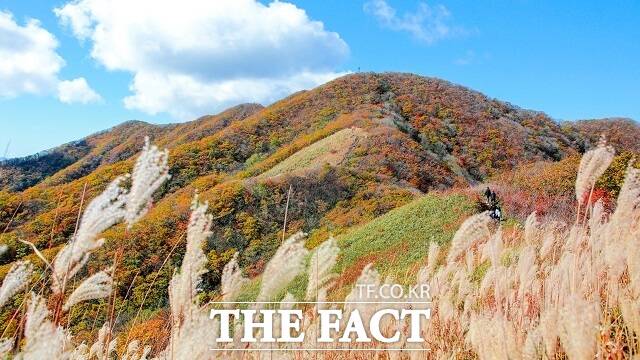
29	63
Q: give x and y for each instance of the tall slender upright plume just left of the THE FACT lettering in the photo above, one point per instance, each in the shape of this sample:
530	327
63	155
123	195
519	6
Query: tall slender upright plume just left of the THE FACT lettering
184	284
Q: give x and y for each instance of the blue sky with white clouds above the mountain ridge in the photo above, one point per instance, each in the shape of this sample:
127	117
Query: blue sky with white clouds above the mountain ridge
570	59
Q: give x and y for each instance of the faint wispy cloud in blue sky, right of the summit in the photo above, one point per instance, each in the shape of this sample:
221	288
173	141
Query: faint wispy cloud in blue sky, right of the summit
427	23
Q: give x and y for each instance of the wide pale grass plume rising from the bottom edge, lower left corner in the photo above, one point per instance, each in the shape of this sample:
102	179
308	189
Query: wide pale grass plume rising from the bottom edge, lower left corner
43	339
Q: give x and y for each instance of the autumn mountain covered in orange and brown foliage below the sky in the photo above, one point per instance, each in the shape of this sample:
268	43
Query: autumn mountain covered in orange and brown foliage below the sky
351	150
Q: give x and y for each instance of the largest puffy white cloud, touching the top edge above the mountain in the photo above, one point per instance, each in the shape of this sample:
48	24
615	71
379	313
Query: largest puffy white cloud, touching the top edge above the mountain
191	57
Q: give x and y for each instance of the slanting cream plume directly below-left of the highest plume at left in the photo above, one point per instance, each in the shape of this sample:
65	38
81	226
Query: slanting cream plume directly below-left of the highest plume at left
102	212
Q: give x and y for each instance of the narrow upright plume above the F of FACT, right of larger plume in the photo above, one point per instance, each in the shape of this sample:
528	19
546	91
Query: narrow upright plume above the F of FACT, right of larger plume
323	260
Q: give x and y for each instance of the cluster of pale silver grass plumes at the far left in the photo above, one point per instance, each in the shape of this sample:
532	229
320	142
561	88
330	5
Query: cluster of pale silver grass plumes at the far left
43	338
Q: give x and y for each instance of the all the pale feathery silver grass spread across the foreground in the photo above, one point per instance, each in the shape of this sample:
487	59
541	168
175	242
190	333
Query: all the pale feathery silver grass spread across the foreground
543	290
